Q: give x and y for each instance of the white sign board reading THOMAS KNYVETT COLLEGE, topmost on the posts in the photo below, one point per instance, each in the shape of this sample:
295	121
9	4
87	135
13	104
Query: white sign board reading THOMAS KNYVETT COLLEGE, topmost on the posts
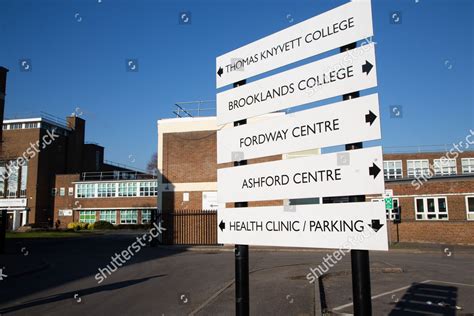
343	25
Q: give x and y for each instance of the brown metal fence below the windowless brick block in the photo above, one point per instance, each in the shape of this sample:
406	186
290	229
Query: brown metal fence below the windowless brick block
189	227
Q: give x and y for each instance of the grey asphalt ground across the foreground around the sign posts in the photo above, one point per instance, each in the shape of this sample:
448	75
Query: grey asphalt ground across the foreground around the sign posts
162	281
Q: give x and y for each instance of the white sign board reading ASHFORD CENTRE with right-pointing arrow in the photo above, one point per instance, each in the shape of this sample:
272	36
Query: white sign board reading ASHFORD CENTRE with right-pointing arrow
346	173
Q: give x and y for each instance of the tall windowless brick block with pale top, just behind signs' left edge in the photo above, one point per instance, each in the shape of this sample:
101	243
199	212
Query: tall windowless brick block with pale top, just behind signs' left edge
187	163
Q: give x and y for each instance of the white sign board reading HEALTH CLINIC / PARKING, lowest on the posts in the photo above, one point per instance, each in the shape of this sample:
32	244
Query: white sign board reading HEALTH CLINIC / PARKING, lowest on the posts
343	225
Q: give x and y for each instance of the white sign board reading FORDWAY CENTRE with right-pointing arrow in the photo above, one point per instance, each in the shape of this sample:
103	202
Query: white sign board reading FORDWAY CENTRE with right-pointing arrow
344	122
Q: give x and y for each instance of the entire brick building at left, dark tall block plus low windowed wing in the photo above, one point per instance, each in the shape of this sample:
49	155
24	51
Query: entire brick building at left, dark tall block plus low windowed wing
49	173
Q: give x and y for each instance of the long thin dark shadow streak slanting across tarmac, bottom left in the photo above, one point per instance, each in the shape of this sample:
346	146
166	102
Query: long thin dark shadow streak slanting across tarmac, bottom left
78	294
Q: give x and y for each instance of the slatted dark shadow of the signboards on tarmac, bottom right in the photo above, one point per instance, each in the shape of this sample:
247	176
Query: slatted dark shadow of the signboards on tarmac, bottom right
423	299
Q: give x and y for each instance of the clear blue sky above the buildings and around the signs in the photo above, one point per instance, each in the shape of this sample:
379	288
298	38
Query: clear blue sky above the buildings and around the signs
78	51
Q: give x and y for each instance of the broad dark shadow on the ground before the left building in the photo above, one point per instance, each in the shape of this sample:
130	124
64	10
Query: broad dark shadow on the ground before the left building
68	260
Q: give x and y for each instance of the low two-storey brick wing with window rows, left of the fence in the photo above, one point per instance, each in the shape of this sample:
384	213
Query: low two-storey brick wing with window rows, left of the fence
119	197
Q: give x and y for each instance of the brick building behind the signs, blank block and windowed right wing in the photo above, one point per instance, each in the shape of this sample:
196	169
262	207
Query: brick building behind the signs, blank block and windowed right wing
439	210
